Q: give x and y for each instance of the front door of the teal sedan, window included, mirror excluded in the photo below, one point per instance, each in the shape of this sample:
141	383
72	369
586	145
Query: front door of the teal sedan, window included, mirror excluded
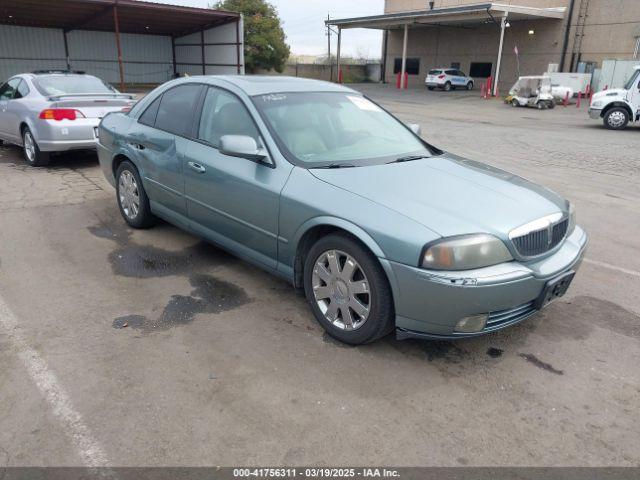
230	200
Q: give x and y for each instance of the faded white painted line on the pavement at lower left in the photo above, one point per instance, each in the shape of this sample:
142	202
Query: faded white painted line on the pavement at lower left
87	447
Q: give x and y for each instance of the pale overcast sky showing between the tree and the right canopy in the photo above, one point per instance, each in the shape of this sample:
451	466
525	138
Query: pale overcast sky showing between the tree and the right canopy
303	23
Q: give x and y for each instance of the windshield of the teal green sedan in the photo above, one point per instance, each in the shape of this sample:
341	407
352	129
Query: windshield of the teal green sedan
334	129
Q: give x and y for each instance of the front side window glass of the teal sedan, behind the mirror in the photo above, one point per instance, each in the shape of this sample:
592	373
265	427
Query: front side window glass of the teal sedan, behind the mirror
224	114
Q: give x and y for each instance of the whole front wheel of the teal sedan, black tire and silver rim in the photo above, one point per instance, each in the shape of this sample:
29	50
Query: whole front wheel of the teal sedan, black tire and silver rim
348	290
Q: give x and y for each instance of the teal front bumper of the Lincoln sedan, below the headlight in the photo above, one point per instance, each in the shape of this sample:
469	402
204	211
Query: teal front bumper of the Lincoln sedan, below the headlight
429	304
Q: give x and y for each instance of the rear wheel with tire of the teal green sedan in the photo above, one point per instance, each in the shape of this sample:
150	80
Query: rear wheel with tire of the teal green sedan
132	198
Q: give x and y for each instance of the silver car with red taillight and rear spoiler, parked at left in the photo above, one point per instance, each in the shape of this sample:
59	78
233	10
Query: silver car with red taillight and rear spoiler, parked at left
48	111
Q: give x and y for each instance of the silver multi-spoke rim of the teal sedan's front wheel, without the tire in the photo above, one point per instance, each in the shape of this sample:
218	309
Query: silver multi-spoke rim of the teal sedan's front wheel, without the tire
341	290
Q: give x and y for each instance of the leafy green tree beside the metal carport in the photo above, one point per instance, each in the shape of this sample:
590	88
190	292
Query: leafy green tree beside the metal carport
264	40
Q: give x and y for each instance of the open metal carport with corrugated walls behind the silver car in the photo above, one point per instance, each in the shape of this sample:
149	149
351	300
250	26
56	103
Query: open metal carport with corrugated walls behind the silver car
132	38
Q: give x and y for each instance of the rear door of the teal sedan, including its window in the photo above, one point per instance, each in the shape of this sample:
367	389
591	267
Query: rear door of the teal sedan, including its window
159	139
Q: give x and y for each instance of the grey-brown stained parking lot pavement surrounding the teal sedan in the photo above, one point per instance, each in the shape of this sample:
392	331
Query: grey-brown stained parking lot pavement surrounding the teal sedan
131	348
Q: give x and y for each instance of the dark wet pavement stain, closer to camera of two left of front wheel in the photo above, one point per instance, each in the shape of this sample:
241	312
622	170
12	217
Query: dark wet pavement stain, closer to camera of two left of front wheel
210	295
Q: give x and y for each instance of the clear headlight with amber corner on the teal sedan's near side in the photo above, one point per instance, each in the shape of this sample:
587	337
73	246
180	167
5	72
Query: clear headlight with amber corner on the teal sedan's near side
465	252
